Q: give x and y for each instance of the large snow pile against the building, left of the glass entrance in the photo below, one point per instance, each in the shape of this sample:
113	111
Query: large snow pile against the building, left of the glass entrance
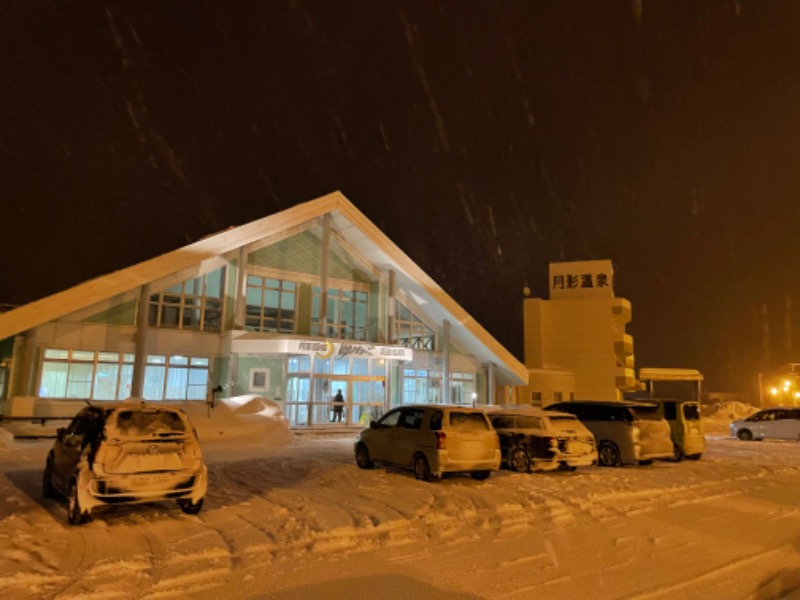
247	419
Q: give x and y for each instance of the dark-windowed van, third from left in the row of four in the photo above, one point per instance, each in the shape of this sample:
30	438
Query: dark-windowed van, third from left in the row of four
625	432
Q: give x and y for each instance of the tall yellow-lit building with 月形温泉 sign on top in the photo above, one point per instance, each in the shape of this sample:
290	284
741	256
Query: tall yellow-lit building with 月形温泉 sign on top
575	342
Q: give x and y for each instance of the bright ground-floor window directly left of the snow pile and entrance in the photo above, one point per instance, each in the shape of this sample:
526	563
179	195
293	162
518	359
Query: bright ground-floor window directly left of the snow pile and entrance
175	378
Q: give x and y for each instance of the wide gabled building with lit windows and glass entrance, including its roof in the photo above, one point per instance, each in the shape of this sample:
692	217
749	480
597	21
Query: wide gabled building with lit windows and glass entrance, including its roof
293	307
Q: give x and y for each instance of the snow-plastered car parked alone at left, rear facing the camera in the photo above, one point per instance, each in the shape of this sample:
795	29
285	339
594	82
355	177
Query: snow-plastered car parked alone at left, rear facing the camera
126	453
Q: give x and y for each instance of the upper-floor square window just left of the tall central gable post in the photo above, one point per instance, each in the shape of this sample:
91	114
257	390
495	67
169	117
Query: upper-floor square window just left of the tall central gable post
270	305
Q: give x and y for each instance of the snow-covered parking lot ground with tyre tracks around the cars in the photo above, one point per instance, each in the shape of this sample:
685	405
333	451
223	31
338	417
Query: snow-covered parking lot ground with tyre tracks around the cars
292	517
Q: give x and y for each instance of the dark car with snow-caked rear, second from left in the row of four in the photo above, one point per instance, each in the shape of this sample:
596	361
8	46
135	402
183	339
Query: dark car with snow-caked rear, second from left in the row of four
532	439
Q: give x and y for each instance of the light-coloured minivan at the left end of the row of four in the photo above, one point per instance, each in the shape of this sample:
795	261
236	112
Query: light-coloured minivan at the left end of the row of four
432	440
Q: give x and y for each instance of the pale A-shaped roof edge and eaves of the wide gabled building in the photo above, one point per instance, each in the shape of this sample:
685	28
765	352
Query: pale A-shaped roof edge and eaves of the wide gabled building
353	231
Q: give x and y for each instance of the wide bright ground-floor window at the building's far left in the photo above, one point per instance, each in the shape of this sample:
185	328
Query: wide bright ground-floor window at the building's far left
86	374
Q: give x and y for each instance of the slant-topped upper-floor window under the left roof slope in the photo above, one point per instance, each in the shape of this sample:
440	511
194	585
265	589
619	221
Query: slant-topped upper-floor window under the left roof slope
193	304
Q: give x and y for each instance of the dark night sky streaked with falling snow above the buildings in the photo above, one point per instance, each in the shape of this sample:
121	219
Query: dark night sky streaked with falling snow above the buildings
485	138
